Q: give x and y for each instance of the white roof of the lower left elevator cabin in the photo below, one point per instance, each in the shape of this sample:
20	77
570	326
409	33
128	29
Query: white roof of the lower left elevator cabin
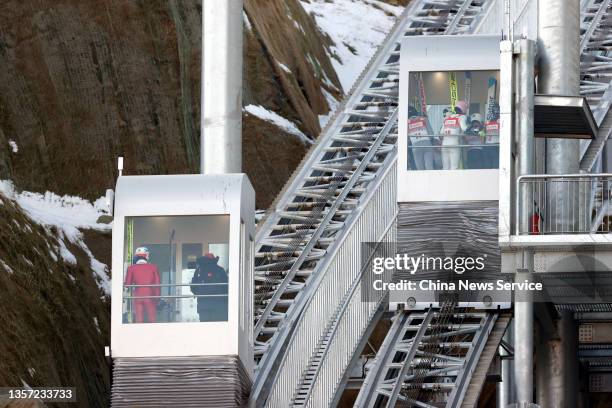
179	194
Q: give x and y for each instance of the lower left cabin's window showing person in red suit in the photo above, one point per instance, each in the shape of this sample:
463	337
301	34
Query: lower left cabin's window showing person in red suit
175	269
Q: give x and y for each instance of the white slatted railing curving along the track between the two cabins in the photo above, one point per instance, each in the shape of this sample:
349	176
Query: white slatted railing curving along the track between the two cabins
342	269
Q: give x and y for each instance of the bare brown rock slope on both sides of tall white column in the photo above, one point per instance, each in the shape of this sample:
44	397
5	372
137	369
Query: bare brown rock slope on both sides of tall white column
83	81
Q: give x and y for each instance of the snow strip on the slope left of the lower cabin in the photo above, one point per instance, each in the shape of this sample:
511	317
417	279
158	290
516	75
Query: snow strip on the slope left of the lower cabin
68	214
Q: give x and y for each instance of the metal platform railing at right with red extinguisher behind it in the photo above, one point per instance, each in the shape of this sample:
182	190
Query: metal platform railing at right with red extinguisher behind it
563	204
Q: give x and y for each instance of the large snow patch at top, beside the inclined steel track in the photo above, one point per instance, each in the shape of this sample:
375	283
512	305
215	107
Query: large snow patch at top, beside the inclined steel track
357	27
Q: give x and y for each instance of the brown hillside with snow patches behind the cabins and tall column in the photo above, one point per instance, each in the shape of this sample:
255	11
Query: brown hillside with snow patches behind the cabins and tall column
84	81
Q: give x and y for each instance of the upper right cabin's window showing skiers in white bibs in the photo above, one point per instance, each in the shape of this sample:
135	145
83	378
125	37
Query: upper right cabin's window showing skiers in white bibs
453	120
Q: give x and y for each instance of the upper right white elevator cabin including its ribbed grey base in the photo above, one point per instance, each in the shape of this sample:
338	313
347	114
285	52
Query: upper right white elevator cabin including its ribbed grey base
448	167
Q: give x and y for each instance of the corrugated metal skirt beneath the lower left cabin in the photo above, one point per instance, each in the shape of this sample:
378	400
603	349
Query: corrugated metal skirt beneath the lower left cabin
180	382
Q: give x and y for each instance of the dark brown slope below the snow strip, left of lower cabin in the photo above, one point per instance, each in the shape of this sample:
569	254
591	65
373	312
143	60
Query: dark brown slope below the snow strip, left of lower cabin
55	318
